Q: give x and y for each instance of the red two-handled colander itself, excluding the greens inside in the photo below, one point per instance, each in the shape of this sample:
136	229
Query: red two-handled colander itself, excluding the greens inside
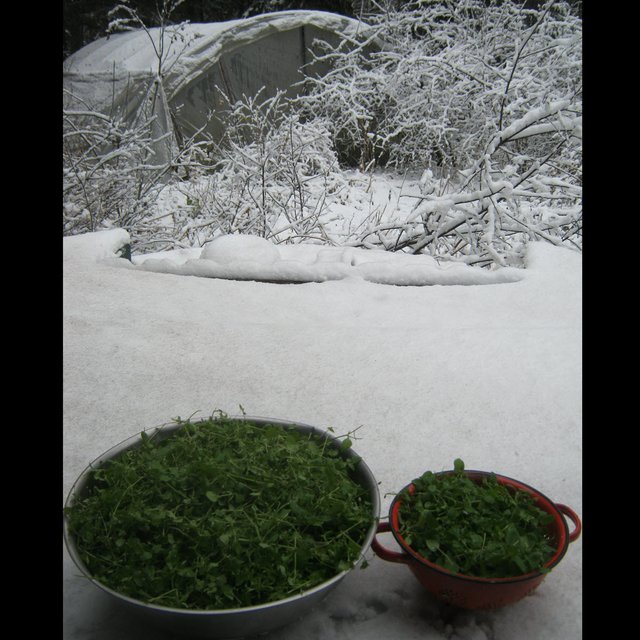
471	592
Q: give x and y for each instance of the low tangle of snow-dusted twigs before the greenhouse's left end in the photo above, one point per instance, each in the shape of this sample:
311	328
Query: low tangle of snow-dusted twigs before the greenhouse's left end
114	172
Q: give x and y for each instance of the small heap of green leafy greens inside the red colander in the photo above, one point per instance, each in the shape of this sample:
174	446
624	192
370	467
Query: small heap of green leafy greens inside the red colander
483	530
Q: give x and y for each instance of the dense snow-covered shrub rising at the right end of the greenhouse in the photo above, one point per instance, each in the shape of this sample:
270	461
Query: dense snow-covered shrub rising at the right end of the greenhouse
447	77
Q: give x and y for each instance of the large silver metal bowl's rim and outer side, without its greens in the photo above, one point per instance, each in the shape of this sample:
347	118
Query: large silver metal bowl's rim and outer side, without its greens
226	623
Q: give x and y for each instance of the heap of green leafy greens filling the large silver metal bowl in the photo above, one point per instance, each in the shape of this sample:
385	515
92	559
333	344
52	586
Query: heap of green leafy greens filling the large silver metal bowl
222	514
